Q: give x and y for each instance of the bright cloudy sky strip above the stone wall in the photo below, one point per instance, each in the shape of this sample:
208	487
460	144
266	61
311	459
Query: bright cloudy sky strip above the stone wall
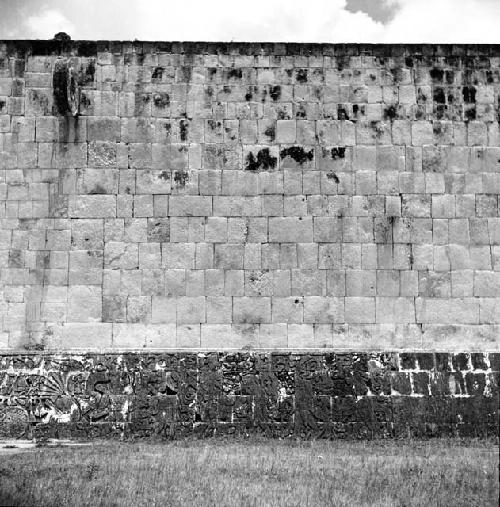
373	21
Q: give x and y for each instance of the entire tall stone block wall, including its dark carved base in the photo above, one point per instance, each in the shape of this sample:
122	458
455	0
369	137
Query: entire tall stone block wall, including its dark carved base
237	198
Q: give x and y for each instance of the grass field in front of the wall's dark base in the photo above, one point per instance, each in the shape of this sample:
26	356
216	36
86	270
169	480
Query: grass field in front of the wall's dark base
253	473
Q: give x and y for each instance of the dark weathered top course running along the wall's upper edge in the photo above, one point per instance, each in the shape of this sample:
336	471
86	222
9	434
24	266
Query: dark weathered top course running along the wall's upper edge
88	48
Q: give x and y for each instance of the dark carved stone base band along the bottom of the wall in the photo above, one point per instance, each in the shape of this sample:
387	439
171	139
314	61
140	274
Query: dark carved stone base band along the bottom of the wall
322	395
